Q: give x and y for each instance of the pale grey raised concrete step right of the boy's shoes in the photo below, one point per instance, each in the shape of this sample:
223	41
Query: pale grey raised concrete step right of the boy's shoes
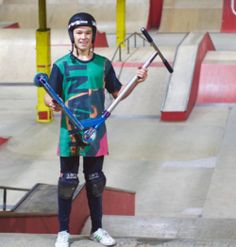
153	227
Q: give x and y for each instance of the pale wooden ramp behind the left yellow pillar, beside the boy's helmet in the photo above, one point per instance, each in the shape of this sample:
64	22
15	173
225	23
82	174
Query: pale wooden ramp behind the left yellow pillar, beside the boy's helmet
22	43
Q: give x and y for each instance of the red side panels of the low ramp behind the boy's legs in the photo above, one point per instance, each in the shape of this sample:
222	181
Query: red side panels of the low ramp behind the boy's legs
116	202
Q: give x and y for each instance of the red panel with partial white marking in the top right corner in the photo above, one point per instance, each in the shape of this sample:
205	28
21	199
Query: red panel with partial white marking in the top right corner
229	16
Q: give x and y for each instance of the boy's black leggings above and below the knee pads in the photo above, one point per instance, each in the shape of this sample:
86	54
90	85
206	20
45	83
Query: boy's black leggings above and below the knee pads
90	165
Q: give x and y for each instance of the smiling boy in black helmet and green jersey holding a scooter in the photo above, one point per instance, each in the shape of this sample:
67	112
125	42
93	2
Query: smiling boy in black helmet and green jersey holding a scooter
80	79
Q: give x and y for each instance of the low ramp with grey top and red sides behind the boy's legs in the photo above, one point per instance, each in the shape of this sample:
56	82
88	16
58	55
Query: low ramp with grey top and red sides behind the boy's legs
37	211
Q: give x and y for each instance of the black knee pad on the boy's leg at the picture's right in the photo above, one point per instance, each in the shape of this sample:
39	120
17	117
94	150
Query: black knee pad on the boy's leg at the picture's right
95	183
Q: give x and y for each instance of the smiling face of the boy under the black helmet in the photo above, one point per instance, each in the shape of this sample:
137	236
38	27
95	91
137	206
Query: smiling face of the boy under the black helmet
83	38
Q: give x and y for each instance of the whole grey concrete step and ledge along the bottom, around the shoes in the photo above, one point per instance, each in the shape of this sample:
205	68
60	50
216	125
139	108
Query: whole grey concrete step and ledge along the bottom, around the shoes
143	231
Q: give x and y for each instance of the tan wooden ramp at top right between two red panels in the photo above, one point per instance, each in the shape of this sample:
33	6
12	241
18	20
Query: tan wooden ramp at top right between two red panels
191	16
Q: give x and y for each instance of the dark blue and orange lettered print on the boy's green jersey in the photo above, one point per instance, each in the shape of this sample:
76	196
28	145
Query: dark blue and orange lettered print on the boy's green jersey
83	102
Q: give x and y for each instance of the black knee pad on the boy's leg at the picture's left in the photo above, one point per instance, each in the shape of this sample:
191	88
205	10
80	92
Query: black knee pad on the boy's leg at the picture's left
67	185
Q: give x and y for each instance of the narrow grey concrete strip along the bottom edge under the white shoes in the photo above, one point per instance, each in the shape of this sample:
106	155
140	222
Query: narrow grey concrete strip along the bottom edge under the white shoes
24	240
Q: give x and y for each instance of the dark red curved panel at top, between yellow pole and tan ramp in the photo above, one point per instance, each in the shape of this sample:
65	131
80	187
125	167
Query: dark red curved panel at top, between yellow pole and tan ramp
154	17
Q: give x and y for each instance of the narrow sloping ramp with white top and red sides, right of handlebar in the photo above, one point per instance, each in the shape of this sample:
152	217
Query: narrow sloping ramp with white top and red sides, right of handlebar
183	84
